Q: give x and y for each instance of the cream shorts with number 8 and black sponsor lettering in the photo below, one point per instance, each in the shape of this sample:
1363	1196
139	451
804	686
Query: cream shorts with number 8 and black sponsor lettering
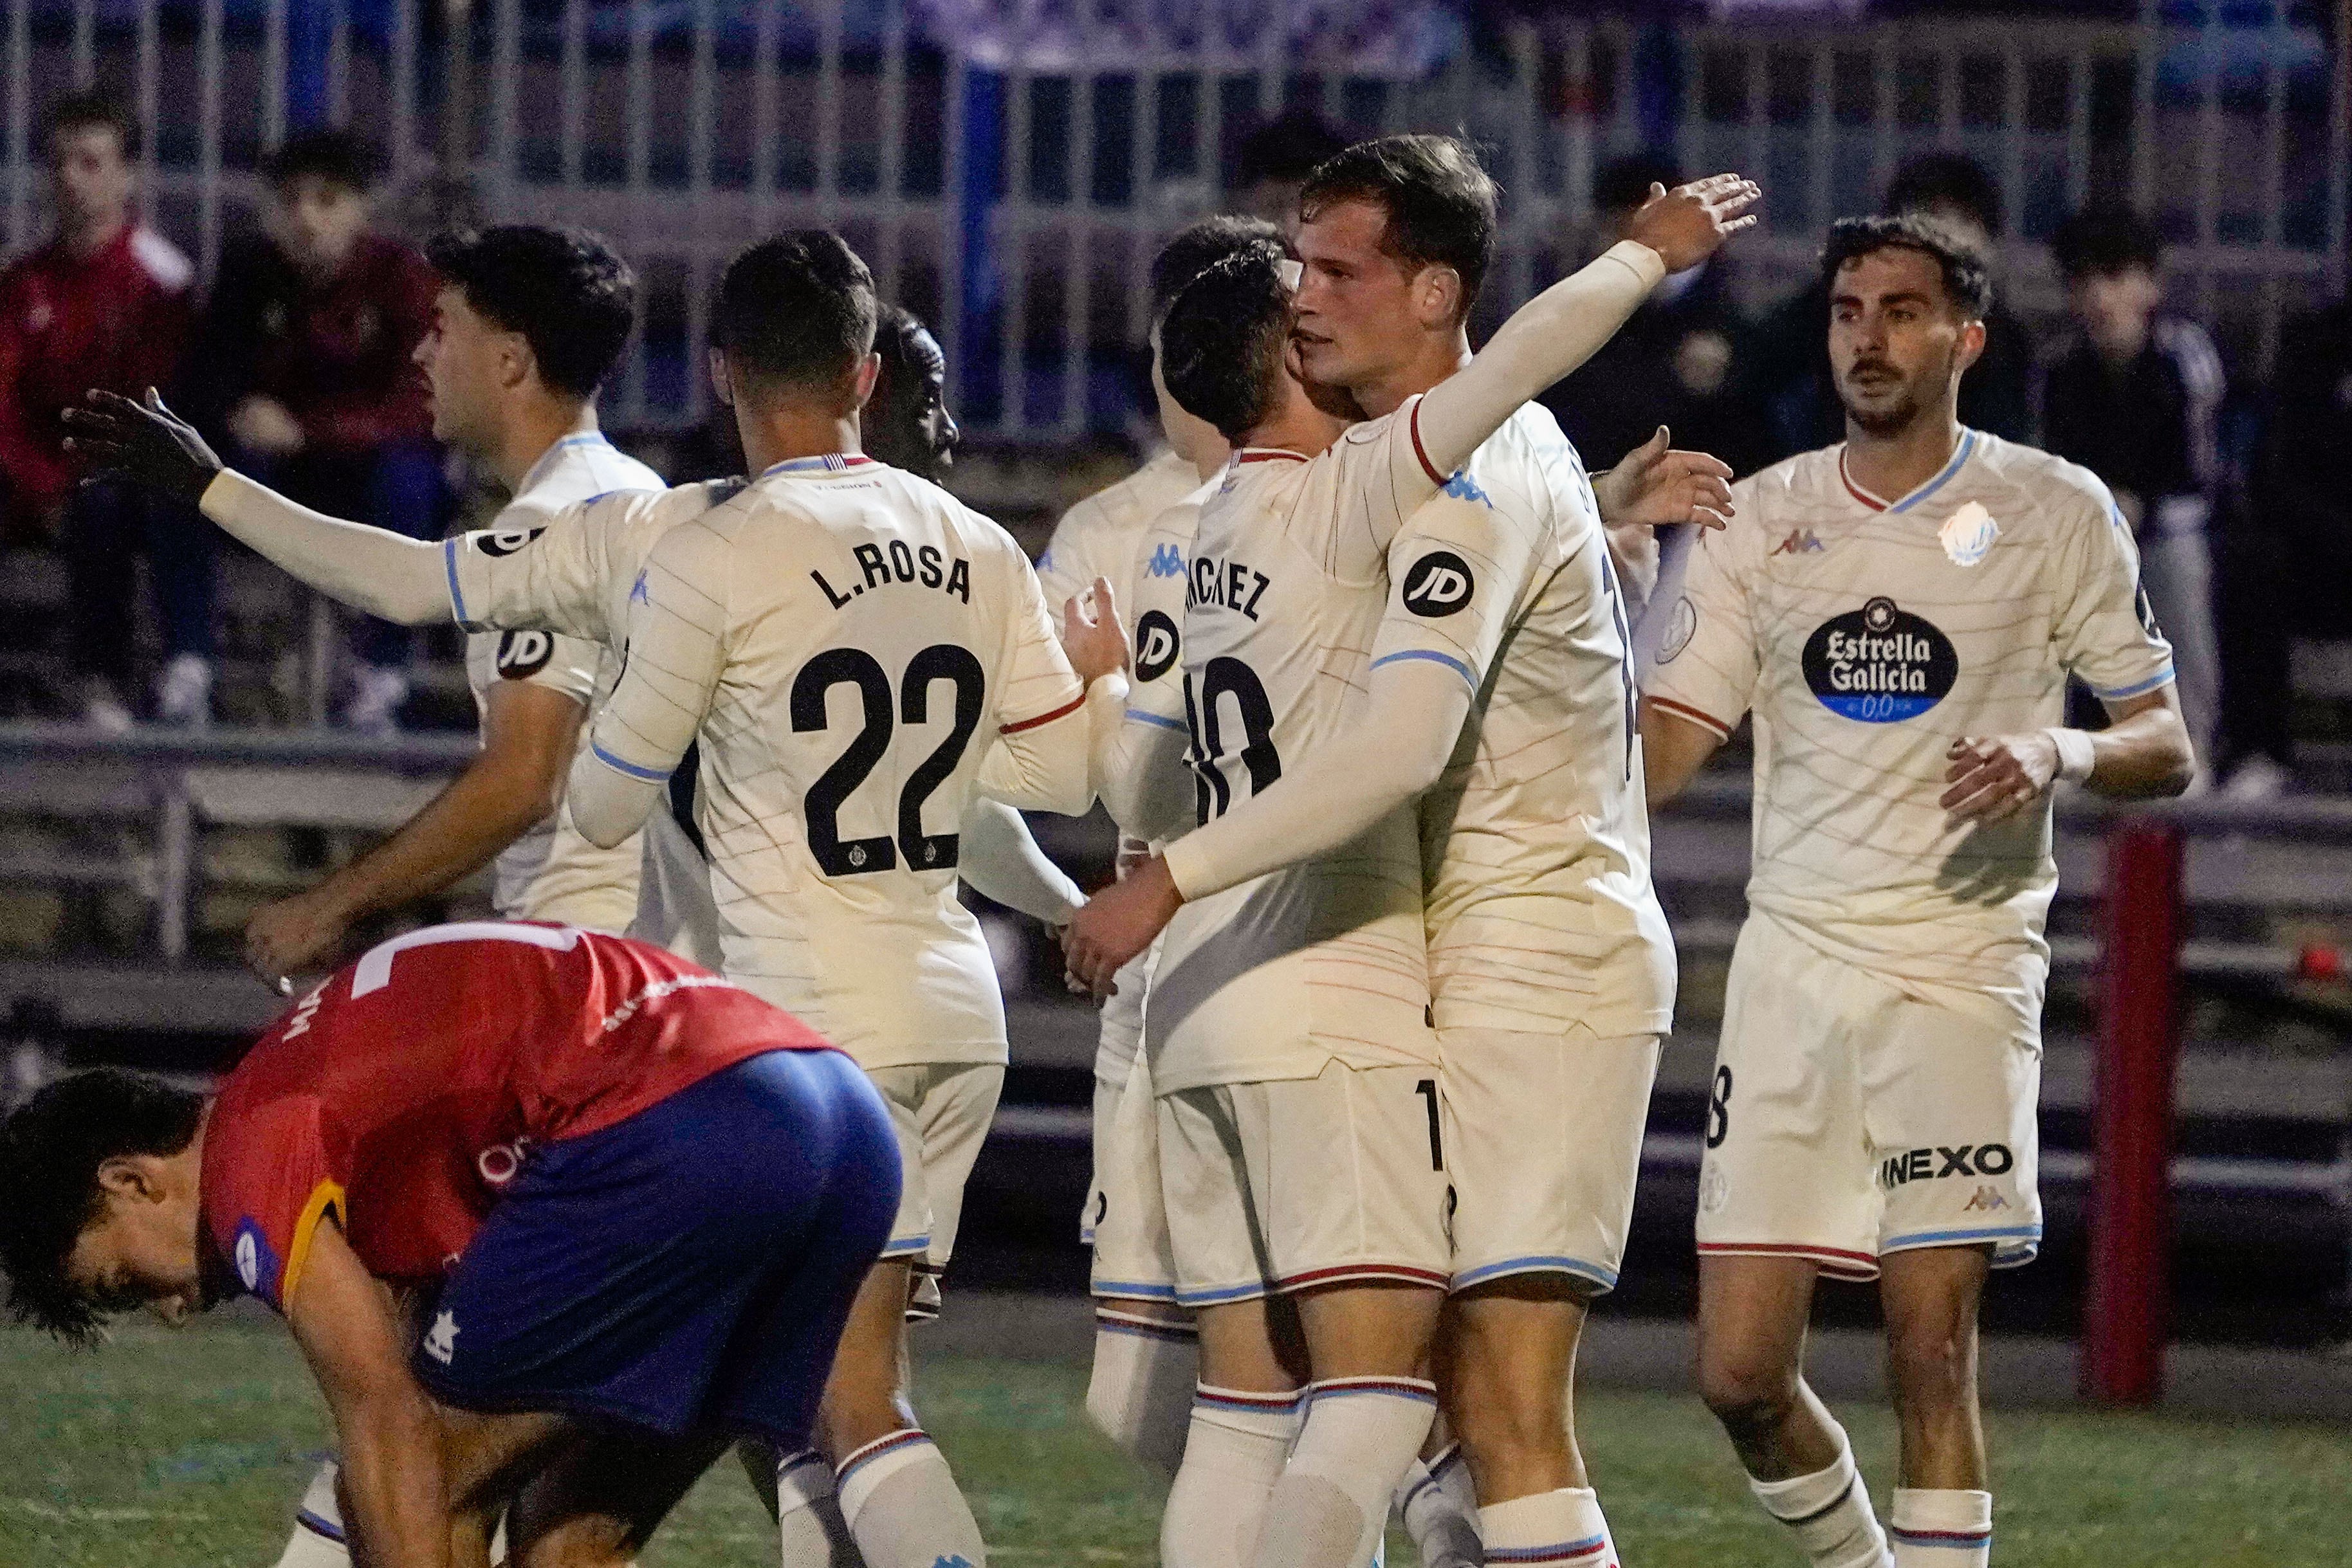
1852	1120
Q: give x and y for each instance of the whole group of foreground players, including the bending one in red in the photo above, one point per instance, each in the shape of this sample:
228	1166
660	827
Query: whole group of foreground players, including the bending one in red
561	1217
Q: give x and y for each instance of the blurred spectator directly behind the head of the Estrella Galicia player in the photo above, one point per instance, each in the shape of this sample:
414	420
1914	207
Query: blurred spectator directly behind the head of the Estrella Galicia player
1996	396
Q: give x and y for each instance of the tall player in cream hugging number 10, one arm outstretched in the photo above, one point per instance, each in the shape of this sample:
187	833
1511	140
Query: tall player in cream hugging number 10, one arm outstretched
1497	674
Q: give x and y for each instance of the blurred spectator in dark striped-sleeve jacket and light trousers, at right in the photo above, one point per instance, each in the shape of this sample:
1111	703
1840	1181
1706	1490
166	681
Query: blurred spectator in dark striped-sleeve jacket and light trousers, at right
2134	398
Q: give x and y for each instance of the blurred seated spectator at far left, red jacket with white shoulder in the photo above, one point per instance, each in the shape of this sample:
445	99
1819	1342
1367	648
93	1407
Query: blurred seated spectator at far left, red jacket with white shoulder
102	307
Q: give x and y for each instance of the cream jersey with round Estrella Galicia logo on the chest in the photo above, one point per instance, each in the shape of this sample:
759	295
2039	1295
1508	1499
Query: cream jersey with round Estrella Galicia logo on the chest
1866	636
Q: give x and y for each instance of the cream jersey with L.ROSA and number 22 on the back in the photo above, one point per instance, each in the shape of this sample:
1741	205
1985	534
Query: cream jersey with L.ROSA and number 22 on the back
846	643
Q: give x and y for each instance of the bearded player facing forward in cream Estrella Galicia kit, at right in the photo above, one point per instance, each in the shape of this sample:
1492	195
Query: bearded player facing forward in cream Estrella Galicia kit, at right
1902	617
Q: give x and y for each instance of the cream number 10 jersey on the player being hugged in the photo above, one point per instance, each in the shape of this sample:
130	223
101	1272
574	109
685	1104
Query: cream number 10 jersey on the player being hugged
1321	963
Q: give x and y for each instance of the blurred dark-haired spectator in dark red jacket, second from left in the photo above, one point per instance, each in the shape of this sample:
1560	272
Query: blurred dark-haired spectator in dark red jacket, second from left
305	368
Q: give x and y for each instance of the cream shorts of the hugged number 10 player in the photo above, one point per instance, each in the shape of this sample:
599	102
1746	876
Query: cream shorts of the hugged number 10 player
1302	1184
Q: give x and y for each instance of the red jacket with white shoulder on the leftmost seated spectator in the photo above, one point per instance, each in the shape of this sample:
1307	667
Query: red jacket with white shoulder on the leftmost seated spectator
116	319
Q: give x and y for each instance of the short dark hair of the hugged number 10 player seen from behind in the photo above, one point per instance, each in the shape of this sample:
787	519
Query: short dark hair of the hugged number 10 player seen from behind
1224	340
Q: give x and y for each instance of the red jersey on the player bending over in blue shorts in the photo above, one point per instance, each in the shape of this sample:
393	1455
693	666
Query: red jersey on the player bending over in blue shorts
406	1092
